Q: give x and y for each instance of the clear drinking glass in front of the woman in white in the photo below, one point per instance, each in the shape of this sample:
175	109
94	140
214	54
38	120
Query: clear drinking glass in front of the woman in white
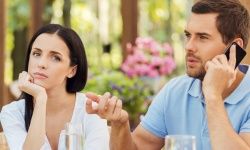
74	137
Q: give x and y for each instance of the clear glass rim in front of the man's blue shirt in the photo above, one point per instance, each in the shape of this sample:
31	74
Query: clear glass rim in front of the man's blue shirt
180	142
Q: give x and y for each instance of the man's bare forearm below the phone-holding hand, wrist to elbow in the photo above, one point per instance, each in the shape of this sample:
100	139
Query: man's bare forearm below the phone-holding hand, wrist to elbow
221	132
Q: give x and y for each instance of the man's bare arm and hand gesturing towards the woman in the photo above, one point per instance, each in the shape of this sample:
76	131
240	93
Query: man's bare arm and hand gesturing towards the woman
110	108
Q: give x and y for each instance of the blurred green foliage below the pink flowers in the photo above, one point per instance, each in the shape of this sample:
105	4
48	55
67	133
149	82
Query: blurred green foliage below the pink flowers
132	91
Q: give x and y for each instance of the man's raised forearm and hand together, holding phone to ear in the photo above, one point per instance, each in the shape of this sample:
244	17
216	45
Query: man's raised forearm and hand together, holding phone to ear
220	80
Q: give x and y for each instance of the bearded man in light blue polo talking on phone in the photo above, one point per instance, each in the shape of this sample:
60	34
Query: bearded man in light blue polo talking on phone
211	102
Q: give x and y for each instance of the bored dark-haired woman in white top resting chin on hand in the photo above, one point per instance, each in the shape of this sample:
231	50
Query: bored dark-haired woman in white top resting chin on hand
55	71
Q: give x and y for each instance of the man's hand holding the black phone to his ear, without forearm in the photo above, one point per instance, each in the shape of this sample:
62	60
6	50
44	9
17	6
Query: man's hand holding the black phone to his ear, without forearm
220	73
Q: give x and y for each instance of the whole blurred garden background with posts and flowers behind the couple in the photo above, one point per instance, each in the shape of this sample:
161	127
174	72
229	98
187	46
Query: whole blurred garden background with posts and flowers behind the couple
133	46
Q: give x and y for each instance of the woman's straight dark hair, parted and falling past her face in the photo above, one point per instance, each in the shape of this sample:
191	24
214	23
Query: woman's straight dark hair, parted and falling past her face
77	58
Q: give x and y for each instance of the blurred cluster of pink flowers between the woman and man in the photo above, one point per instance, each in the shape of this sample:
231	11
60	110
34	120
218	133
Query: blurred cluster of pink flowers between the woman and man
148	58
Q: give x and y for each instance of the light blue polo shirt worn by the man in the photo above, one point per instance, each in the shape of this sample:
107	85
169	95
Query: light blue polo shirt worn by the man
179	108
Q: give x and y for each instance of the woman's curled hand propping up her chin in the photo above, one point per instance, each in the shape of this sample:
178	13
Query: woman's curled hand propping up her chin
26	84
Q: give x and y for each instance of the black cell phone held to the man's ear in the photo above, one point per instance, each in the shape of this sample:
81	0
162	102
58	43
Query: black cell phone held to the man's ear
240	53
